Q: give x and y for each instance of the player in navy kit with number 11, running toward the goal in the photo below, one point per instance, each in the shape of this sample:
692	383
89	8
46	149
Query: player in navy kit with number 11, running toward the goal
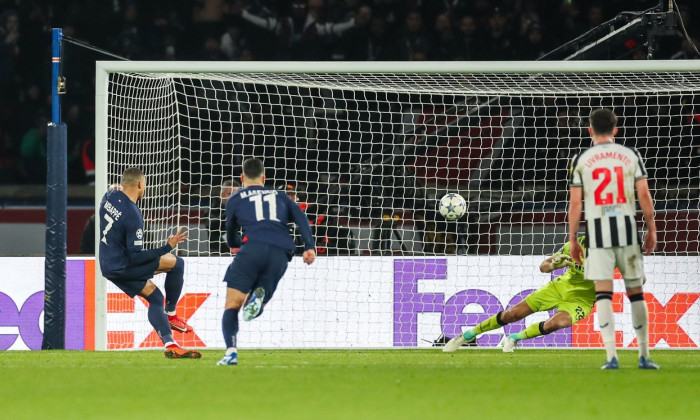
265	249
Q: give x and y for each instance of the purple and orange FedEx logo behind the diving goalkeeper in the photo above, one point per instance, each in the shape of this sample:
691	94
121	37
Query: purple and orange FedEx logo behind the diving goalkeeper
408	303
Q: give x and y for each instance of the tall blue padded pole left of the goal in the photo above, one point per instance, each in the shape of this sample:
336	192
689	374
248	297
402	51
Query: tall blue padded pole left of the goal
56	213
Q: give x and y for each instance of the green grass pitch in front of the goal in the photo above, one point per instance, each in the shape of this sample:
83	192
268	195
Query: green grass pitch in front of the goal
347	384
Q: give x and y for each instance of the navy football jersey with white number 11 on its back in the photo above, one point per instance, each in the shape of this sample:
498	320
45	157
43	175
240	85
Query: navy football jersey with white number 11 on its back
264	214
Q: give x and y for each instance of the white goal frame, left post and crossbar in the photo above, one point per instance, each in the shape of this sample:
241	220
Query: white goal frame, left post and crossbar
104	68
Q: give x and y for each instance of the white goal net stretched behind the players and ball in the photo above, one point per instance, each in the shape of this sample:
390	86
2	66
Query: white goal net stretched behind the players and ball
367	150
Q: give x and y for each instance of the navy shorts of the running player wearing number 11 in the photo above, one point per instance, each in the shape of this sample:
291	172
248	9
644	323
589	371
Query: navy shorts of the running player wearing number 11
257	265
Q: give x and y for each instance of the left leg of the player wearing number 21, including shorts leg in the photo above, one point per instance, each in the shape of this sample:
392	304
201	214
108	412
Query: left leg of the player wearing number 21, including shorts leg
600	267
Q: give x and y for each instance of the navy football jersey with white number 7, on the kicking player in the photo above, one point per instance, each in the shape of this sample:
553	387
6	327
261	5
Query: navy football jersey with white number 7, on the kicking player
121	235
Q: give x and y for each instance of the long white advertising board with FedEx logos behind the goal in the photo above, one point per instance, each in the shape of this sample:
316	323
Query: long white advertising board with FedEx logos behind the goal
356	302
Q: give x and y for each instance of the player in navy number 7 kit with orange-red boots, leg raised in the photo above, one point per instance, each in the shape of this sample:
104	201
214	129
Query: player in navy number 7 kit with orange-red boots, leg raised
125	263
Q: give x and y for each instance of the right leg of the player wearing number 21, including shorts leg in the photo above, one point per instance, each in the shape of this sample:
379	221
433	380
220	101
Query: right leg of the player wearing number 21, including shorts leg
632	271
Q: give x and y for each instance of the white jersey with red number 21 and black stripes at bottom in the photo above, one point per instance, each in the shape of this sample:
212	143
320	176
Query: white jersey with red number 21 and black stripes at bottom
607	172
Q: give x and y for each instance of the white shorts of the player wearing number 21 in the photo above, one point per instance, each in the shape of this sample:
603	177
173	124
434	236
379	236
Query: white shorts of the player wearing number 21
601	263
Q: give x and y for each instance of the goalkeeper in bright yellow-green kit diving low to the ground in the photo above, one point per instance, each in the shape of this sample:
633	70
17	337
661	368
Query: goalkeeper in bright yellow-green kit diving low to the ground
573	297
